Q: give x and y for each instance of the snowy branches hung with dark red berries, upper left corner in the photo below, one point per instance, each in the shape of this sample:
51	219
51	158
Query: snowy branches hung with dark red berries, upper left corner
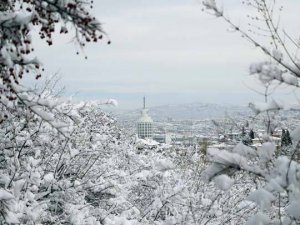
19	20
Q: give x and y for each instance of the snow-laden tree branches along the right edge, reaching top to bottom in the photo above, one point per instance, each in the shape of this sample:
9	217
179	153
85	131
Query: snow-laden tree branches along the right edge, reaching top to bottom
277	197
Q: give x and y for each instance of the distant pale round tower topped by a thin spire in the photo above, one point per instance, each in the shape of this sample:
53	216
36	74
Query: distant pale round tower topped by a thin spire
144	126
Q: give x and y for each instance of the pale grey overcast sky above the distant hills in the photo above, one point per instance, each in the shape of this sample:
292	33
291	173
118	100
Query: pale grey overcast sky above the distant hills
168	50
